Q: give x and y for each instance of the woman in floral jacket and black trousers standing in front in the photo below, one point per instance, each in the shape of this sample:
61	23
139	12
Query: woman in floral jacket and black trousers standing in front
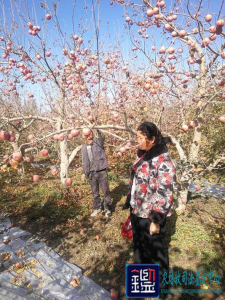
150	196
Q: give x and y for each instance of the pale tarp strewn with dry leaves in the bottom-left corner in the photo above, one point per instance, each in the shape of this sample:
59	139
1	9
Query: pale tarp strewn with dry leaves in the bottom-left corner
29	269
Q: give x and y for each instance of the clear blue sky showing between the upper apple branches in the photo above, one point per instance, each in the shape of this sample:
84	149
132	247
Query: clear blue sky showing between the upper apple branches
77	16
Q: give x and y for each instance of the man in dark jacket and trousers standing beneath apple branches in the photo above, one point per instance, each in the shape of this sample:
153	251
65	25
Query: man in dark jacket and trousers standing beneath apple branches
95	164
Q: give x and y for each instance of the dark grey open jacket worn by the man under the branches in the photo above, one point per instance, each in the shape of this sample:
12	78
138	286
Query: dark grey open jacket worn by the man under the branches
99	157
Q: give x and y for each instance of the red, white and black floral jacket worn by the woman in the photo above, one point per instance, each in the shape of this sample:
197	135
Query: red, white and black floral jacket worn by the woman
153	174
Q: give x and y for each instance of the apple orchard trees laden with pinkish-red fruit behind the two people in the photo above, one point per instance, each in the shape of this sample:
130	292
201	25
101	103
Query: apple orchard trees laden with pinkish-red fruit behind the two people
56	83
